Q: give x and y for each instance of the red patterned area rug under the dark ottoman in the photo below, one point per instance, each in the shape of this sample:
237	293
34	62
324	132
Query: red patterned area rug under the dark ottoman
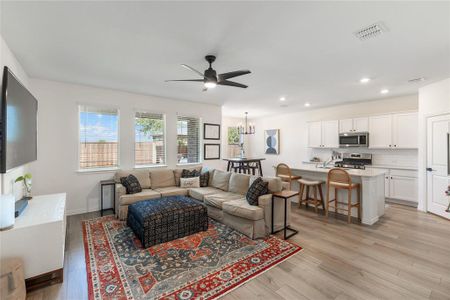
205	265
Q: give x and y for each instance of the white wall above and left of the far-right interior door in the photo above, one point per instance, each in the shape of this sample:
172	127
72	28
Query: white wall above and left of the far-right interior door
434	99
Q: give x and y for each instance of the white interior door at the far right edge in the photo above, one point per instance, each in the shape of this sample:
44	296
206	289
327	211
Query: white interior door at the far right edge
438	164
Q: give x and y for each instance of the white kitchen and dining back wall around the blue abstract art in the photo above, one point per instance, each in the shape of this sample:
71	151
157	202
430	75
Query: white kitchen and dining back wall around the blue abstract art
294	131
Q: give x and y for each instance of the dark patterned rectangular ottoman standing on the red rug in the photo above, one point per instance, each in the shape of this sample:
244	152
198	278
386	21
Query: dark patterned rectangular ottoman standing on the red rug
165	219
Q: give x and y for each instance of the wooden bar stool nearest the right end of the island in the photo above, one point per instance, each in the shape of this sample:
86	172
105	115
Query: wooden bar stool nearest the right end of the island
340	180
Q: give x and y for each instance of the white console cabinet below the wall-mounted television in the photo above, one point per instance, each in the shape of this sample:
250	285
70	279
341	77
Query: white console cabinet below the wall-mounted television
38	238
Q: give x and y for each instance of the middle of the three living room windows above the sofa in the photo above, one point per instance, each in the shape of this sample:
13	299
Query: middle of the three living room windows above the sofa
149	145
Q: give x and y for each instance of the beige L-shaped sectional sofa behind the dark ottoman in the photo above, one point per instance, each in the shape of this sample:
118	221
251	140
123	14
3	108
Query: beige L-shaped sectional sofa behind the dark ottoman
224	197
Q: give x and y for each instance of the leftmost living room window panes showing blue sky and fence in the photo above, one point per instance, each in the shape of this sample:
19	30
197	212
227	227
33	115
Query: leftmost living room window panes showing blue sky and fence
99	137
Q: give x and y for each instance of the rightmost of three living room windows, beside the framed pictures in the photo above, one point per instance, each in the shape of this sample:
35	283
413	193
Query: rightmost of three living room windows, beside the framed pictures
188	140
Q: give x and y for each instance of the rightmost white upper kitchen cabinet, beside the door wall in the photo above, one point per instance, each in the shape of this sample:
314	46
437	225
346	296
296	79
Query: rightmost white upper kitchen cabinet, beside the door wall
405	130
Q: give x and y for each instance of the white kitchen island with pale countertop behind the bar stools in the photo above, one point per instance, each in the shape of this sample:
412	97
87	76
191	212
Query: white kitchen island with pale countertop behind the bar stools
372	188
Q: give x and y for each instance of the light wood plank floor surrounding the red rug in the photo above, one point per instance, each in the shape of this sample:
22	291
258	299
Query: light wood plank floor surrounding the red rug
404	256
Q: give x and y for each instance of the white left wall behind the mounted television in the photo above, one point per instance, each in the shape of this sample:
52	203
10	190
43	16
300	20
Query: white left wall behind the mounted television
7	58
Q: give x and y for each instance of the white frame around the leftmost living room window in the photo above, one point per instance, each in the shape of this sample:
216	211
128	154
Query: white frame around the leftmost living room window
104	169
